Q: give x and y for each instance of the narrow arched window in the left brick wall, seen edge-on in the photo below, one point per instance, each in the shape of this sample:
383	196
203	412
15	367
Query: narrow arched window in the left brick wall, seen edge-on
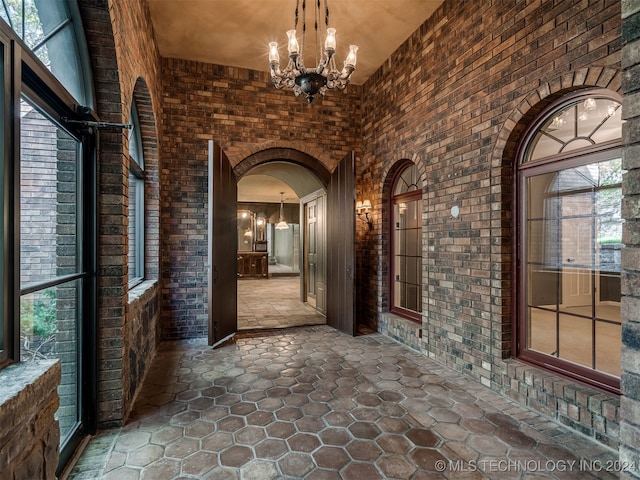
136	201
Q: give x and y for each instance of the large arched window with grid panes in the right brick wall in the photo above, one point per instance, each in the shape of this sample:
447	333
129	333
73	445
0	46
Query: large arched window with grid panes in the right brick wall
569	240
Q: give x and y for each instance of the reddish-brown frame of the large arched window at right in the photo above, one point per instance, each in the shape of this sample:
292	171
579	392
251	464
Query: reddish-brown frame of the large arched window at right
523	171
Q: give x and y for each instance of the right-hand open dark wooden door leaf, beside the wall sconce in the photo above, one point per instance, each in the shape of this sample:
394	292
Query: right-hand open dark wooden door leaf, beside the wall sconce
341	200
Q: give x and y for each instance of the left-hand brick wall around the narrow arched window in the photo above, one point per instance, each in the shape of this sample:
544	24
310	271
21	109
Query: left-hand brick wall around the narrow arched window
125	63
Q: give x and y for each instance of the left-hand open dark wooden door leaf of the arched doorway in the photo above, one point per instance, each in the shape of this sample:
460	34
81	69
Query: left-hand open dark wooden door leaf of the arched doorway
223	308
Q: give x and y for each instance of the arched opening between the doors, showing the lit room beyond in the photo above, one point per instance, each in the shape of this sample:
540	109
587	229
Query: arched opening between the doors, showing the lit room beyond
281	244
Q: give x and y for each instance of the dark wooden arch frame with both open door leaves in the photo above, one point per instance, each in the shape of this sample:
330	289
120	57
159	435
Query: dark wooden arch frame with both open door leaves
223	239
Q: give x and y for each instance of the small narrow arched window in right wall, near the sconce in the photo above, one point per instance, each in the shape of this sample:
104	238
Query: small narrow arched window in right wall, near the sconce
406	243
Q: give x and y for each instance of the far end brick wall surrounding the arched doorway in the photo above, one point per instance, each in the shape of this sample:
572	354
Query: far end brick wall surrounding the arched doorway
242	111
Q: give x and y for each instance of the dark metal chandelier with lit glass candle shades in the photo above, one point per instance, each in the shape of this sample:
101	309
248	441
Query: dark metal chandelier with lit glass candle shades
311	81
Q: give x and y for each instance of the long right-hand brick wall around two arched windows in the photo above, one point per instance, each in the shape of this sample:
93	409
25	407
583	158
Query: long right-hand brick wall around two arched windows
471	79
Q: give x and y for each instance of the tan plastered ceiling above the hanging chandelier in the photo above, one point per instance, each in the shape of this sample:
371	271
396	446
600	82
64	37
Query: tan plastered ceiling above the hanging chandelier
237	32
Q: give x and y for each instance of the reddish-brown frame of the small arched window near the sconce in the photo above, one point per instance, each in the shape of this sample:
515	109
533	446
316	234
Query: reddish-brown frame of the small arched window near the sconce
394	199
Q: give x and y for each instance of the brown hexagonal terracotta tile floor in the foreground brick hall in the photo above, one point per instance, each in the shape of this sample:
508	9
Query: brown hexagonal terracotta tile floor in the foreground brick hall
312	403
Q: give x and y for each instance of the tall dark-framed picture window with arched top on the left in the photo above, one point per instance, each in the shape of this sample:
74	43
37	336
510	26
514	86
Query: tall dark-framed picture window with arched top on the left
49	204
